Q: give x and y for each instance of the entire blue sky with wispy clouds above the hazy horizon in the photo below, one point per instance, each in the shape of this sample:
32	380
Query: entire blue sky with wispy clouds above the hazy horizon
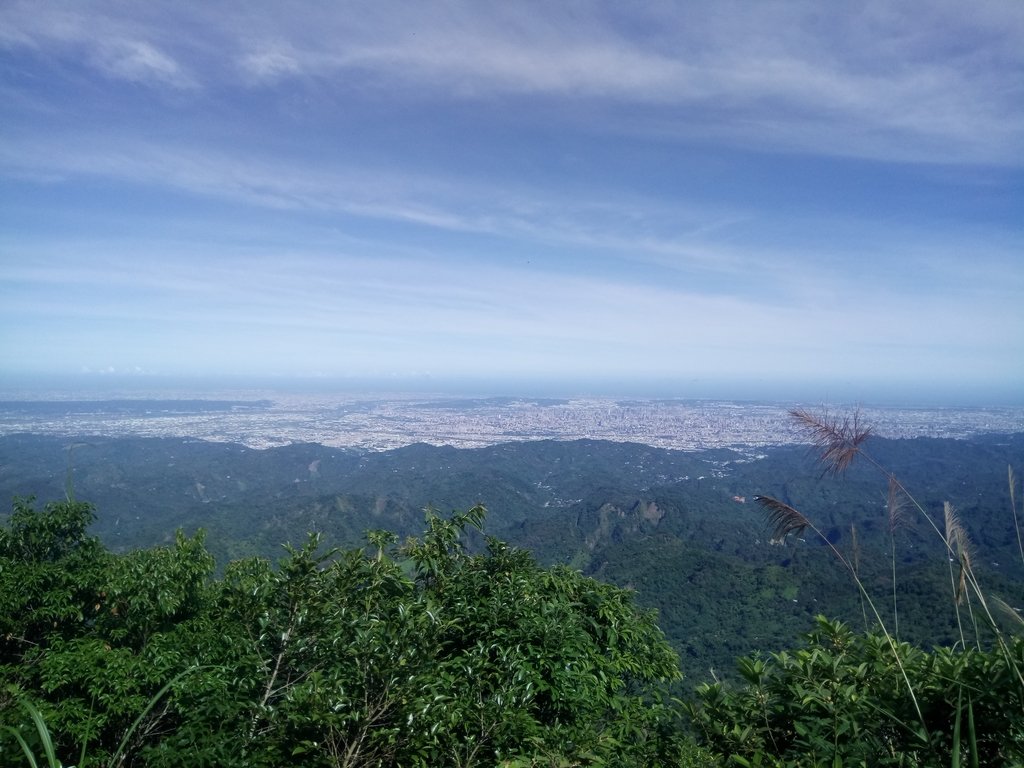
824	194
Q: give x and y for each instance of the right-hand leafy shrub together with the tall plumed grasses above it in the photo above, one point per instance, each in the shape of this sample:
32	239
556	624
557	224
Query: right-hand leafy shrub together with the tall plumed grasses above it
871	700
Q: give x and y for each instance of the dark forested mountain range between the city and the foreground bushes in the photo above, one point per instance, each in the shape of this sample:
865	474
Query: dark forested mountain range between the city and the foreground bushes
680	528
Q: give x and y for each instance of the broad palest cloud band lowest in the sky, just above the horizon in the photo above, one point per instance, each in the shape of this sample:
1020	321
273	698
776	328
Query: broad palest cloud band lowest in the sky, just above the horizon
447	316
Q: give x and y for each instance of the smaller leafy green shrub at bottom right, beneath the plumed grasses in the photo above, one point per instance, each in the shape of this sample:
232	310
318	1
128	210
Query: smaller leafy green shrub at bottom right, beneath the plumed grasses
840	701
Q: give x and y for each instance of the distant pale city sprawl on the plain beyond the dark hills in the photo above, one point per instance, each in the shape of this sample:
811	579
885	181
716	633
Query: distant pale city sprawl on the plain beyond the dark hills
374	423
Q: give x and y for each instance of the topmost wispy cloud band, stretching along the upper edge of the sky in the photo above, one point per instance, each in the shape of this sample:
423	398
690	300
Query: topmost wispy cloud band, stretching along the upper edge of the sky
925	81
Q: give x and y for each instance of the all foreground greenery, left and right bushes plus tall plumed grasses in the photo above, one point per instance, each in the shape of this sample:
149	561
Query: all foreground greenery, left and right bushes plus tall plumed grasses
433	653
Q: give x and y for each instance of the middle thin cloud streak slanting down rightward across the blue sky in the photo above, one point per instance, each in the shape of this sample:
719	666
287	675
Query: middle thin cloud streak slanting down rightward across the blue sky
722	247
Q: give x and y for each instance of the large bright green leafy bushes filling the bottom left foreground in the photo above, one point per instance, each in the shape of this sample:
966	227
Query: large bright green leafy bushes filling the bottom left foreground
421	655
